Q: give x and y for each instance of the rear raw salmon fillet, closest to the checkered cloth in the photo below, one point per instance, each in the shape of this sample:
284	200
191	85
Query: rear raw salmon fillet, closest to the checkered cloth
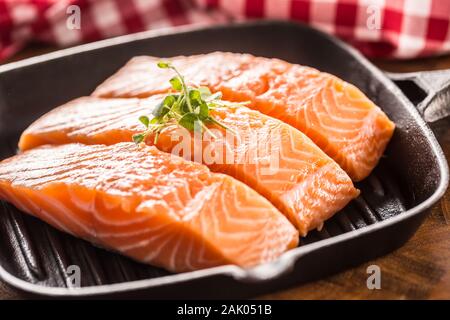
336	115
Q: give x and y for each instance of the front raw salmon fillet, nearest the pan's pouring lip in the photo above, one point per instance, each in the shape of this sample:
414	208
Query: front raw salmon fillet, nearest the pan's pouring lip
148	205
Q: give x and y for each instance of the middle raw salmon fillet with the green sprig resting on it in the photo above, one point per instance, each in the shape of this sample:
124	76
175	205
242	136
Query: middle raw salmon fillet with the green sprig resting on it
268	155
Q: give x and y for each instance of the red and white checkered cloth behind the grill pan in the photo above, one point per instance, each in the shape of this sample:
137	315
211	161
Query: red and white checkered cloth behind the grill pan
379	28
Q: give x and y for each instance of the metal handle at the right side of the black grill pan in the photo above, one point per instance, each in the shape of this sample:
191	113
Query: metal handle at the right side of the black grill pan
428	90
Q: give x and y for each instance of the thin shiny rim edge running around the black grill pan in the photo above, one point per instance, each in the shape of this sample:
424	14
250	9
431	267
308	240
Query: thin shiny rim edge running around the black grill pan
265	272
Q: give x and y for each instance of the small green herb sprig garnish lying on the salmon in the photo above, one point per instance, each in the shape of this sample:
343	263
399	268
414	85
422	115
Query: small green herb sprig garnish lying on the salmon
189	108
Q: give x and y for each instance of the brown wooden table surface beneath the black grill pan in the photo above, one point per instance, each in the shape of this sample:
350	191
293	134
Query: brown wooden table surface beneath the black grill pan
418	270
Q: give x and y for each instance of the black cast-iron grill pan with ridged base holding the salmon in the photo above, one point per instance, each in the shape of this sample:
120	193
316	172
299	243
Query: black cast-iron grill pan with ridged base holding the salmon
411	177
